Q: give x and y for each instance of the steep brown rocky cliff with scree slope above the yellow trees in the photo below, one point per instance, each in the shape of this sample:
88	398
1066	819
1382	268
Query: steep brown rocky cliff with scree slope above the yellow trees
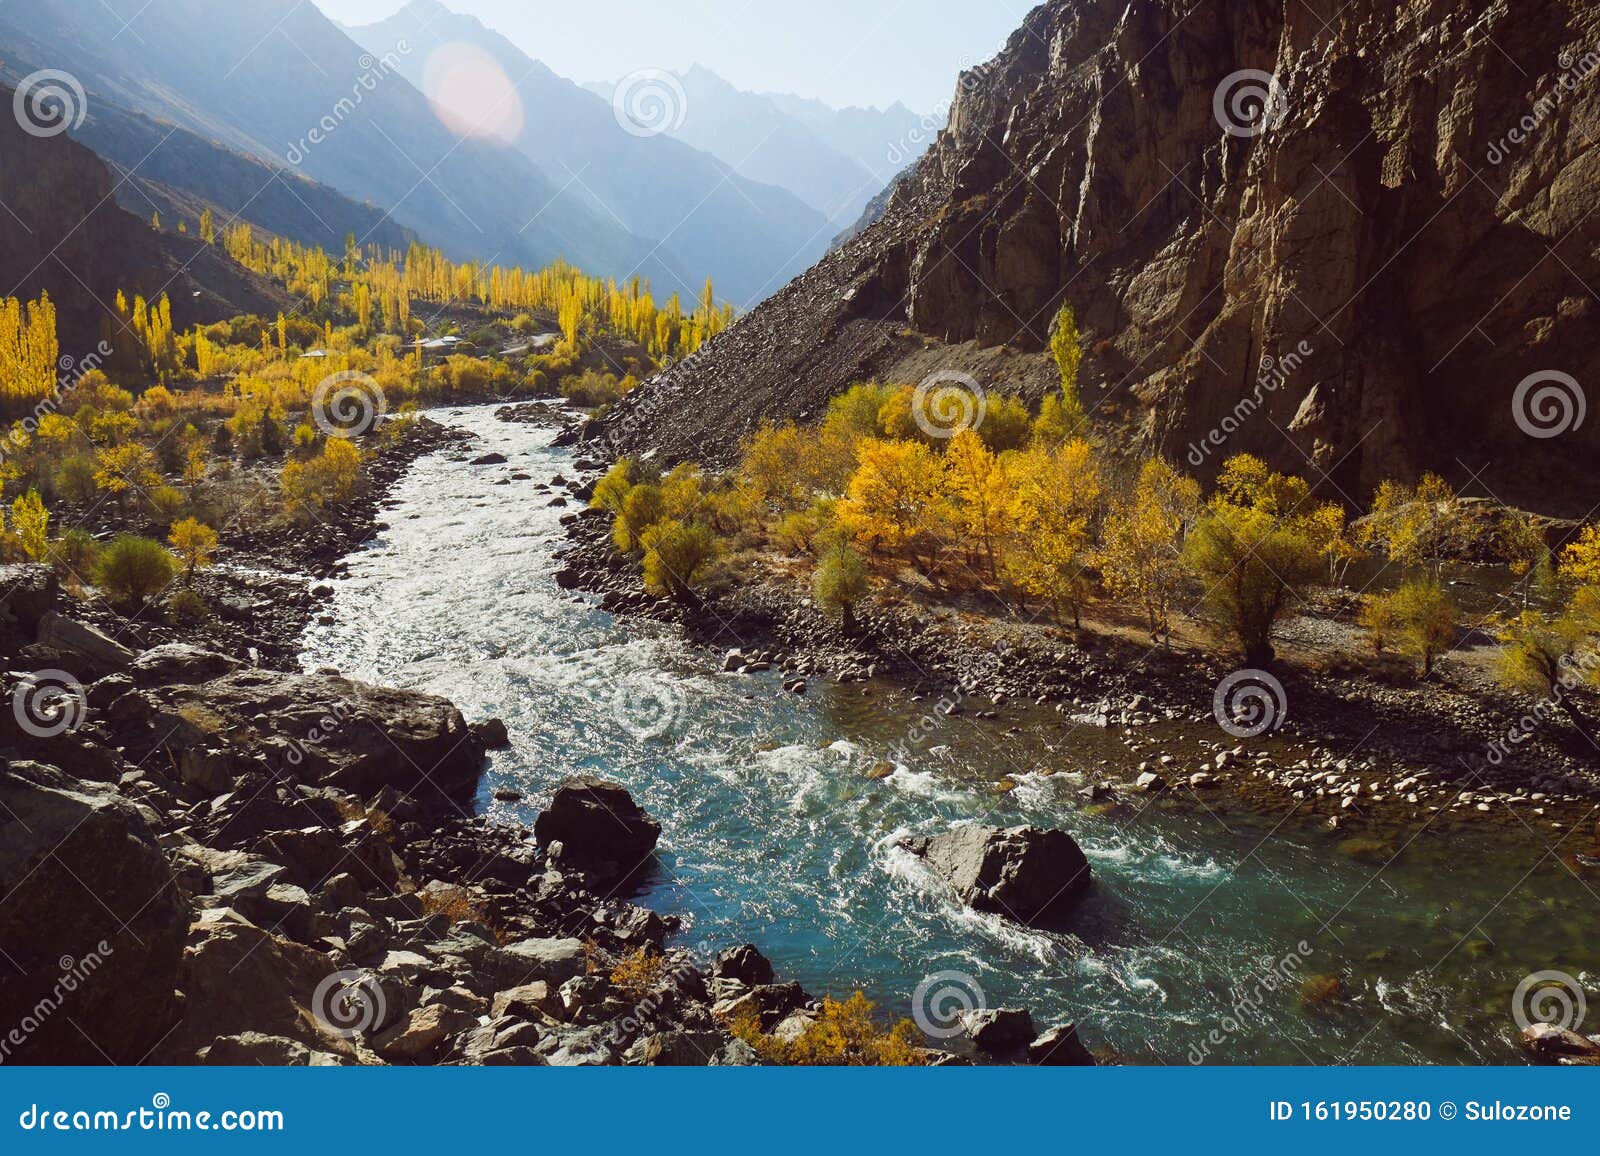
1393	203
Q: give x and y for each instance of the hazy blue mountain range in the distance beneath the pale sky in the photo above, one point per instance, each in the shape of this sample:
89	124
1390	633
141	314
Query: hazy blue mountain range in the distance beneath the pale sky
276	114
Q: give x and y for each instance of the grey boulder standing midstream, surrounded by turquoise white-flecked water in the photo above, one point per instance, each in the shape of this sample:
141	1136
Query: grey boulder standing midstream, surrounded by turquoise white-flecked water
1026	873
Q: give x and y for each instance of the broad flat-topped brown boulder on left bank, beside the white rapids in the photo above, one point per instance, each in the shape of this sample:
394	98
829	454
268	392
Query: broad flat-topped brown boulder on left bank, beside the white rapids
329	731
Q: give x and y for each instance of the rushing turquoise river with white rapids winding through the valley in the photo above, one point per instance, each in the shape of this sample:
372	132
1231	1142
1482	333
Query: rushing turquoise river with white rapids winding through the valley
1210	936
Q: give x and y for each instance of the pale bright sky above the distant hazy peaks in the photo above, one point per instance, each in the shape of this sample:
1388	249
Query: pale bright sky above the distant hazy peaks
841	52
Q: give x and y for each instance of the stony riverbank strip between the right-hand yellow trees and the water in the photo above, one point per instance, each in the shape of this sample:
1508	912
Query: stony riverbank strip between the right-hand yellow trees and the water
1351	753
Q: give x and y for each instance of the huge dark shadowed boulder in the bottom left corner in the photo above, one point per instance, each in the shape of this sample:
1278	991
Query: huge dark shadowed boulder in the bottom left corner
90	918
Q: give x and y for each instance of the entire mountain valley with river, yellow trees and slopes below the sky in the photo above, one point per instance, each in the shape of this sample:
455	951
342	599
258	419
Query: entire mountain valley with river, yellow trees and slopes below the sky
498	569
